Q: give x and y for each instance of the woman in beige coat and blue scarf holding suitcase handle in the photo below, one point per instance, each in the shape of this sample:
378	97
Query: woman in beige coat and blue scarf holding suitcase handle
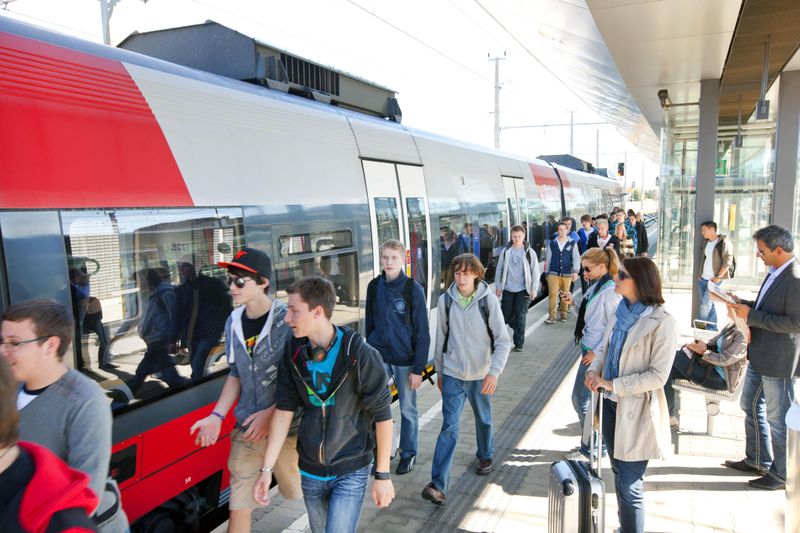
632	364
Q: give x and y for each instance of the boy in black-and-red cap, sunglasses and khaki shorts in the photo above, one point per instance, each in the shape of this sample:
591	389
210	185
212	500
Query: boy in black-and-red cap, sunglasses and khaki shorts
256	335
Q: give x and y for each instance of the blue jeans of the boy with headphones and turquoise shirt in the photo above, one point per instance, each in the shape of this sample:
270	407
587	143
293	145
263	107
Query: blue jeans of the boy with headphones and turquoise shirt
335	506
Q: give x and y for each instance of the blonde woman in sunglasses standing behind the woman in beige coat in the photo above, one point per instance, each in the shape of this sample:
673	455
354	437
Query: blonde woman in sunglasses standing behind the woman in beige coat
599	304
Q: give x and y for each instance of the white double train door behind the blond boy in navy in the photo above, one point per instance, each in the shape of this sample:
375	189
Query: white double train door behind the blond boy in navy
398	209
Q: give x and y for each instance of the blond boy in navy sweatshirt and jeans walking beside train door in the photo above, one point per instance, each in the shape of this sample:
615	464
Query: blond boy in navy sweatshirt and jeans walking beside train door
402	337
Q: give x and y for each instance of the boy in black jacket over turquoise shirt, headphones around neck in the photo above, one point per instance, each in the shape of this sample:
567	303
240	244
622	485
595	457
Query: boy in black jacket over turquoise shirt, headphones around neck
340	382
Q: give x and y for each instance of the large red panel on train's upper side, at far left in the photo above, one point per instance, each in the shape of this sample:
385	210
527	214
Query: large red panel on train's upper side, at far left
77	132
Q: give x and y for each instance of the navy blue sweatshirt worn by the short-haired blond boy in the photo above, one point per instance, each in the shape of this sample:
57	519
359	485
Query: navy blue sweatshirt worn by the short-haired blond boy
389	329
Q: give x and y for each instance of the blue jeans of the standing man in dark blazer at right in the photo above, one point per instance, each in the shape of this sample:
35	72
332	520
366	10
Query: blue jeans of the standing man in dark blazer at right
765	401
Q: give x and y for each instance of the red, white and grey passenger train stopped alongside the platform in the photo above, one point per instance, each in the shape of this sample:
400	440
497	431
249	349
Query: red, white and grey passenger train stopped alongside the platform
116	166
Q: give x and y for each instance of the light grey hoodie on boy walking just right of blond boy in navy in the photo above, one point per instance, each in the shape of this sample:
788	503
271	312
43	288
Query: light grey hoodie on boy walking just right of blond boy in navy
469	354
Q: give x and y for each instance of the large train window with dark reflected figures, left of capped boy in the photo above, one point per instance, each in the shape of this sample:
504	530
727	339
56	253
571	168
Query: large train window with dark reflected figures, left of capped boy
148	299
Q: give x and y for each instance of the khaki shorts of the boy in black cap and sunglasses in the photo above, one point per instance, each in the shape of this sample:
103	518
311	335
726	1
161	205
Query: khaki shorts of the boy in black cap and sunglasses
245	461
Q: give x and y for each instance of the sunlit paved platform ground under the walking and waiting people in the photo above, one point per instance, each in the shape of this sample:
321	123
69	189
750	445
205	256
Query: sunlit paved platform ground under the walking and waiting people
689	492
